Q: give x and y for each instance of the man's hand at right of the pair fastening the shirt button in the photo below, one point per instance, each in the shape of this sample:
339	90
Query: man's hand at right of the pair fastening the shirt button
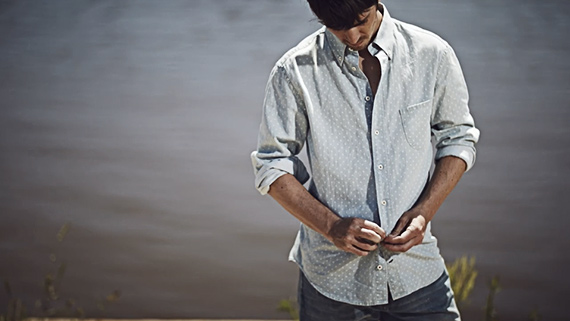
409	231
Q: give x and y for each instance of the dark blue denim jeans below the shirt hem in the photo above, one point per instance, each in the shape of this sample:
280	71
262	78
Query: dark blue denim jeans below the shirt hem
434	302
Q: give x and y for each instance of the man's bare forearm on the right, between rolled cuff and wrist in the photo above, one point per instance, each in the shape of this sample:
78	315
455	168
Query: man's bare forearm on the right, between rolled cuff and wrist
448	171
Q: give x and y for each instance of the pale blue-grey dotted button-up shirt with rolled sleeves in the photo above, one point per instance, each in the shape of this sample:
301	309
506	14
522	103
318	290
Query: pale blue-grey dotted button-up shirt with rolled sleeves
369	155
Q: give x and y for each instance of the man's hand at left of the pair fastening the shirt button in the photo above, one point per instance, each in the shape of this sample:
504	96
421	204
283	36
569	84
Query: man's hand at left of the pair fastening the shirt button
356	235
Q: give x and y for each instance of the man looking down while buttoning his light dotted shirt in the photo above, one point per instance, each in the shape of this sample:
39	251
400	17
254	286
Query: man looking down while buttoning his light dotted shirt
366	93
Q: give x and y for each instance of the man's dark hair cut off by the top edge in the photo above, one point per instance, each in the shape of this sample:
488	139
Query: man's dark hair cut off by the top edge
340	14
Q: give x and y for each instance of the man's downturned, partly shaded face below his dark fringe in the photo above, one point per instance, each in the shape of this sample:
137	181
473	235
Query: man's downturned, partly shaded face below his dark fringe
360	35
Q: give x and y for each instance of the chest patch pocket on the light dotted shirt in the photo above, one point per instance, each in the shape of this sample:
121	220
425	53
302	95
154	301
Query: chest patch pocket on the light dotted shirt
416	123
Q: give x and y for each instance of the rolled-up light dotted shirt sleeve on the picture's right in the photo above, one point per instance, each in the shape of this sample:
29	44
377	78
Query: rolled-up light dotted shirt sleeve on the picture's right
452	124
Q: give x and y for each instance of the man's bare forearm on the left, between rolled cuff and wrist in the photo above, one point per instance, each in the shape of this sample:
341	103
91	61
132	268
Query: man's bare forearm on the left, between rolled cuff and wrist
294	198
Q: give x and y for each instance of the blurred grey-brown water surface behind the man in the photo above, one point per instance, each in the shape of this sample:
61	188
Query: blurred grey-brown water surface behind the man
134	121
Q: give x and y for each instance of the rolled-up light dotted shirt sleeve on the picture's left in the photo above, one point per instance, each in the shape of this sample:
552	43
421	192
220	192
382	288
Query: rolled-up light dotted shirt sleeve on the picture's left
282	132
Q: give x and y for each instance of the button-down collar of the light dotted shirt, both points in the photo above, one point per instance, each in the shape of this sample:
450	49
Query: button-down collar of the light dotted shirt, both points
384	38
